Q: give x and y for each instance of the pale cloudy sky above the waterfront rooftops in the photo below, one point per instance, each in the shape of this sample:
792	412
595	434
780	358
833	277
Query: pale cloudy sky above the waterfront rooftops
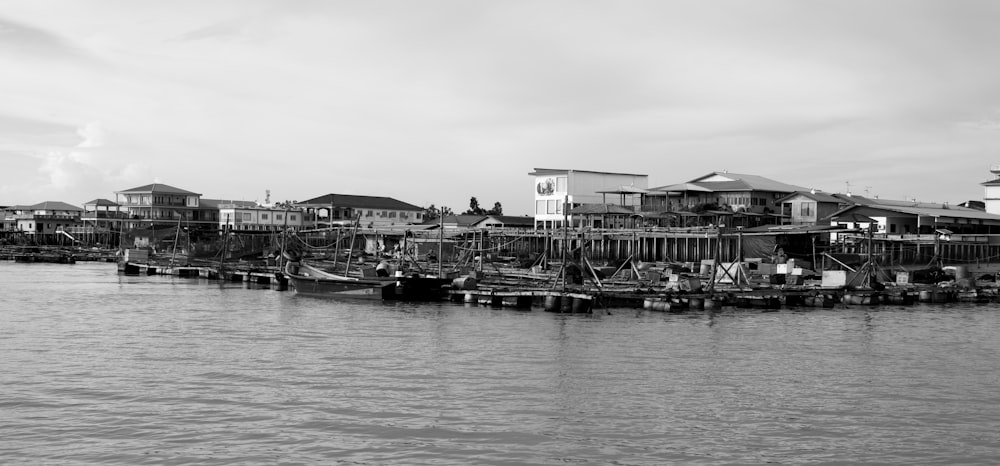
435	102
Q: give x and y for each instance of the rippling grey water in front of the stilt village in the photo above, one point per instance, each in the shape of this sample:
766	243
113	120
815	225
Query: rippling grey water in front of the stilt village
97	368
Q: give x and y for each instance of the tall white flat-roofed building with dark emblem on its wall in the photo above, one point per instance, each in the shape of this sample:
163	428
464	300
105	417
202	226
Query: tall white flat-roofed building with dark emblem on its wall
559	191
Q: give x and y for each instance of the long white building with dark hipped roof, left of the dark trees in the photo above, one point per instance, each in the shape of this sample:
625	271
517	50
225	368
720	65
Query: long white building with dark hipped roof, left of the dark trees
370	211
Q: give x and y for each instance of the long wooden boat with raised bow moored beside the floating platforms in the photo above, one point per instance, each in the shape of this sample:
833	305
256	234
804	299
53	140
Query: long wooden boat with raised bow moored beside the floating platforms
313	281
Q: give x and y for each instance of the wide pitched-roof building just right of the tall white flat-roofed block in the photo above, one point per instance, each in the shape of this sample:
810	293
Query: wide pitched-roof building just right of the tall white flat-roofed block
728	191
